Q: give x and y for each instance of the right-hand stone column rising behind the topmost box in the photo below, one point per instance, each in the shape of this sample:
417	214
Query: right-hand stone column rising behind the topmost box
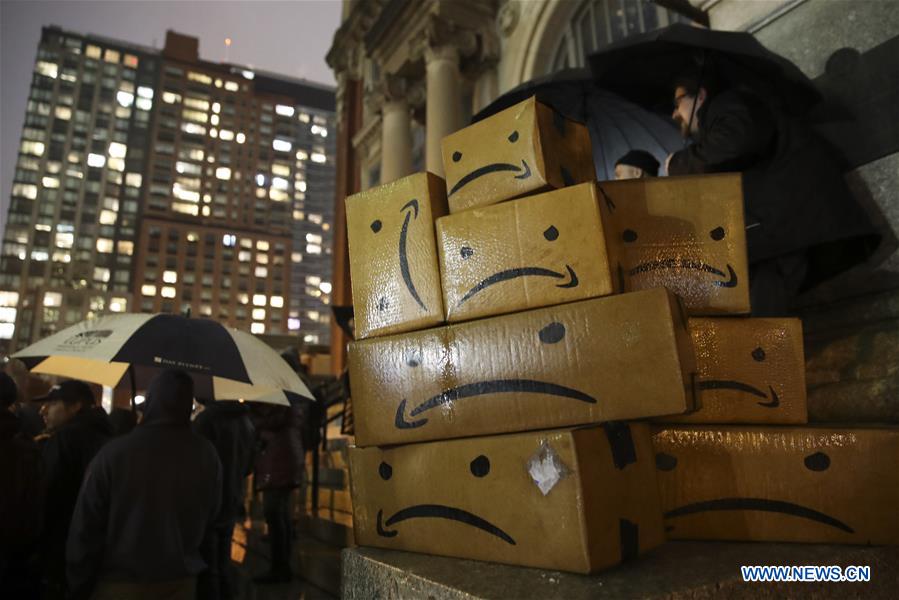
443	108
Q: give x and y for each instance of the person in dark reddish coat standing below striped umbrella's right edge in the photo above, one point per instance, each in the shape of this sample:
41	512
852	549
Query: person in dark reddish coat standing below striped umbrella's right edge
279	469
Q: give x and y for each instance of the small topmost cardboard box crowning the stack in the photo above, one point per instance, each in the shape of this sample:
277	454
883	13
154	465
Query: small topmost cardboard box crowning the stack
524	149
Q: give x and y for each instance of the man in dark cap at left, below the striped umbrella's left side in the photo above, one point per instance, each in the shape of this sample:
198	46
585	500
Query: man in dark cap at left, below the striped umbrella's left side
76	430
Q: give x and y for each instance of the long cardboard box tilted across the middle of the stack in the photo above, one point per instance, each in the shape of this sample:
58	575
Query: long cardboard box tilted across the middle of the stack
621	357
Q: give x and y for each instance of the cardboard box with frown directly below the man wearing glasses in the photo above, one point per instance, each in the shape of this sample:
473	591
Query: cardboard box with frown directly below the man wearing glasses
683	233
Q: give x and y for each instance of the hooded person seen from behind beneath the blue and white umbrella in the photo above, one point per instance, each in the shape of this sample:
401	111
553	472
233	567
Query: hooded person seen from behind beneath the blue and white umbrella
144	523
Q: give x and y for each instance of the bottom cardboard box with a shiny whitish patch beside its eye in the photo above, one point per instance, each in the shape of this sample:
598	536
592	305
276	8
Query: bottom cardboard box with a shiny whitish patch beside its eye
576	500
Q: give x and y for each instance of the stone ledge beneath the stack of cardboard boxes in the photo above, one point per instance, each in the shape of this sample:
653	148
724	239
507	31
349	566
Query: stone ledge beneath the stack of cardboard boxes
678	570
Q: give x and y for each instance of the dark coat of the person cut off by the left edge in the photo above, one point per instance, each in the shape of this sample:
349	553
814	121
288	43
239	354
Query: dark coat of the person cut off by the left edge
21	489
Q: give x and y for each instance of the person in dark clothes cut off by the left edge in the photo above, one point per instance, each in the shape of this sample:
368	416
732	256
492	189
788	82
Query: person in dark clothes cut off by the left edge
21	498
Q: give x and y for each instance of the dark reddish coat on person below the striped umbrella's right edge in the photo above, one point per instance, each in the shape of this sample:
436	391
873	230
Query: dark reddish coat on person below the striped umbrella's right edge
280	462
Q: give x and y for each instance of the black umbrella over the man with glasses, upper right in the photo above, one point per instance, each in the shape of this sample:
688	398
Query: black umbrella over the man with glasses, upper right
643	67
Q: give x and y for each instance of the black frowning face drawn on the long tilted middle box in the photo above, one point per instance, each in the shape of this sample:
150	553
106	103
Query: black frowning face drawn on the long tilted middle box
485	390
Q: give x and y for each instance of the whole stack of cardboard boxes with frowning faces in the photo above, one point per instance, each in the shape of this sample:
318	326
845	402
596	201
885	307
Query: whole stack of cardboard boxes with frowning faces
507	434
